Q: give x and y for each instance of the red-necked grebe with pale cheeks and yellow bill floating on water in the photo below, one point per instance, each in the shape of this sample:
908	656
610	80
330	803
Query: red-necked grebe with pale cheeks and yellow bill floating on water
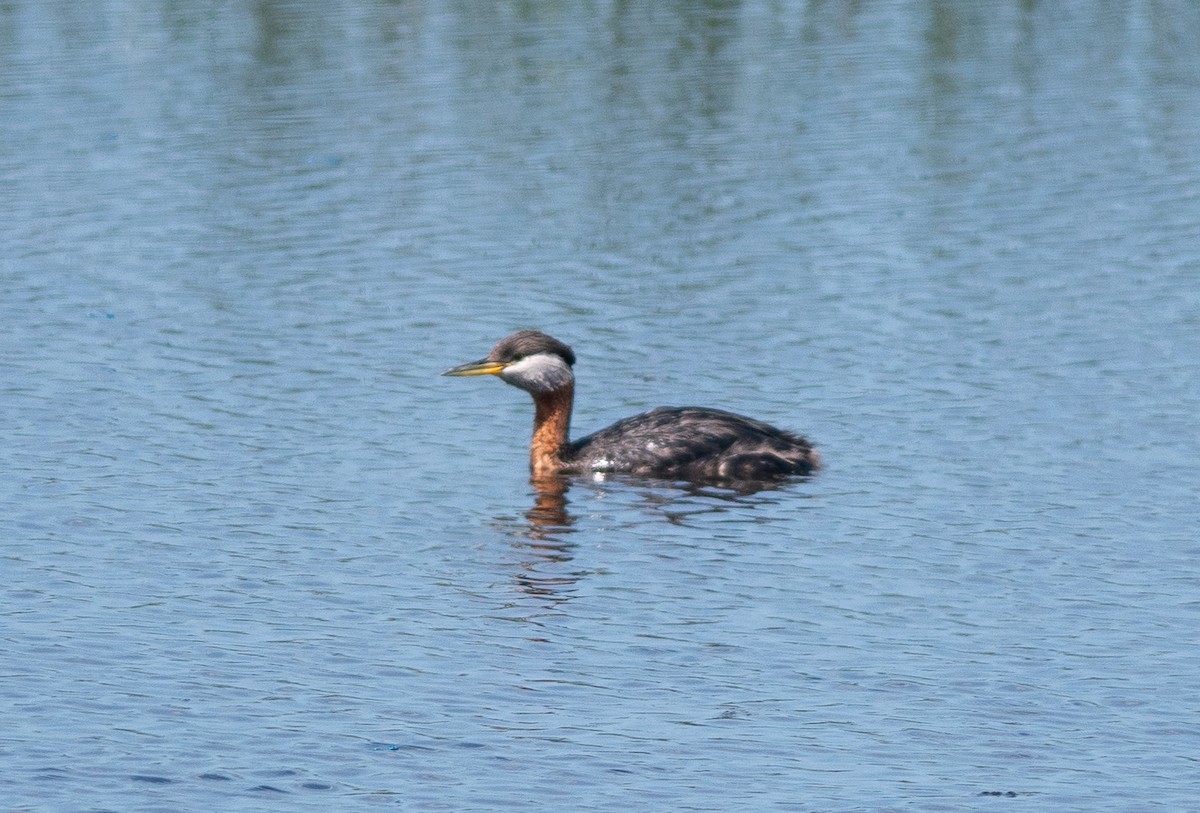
679	443
